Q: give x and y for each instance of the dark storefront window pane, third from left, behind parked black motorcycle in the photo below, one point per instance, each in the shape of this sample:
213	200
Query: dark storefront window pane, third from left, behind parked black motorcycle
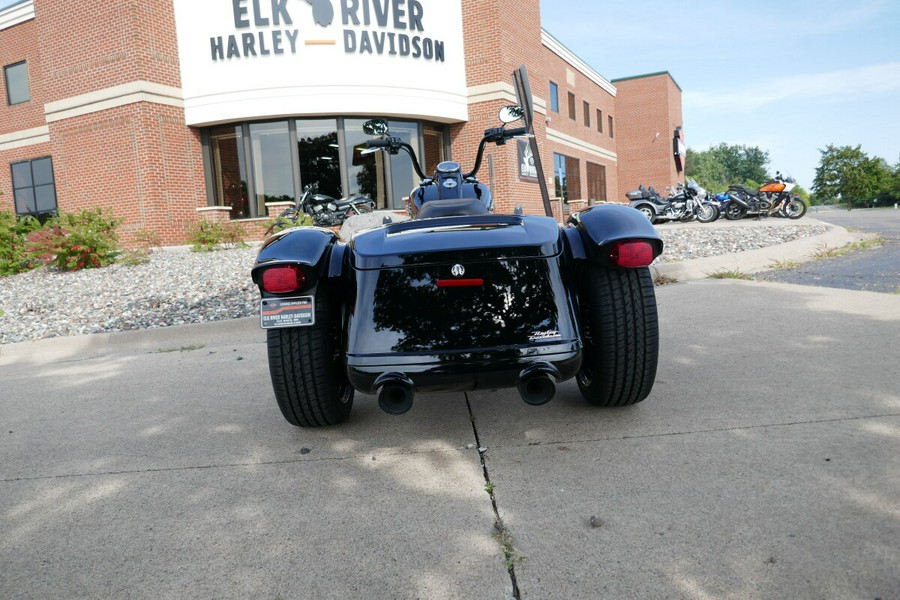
319	153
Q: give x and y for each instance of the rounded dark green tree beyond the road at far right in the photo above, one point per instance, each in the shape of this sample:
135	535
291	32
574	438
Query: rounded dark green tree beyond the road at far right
848	175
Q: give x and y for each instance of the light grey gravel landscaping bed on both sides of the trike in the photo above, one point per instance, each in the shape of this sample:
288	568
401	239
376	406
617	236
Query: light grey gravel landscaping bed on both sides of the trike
178	286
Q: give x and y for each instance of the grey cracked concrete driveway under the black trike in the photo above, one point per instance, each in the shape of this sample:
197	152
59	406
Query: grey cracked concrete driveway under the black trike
765	464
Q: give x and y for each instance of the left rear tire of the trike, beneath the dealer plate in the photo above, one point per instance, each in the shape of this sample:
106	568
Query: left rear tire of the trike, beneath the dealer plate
308	375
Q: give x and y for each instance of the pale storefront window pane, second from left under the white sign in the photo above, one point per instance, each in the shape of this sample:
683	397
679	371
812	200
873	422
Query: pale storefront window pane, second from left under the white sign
273	173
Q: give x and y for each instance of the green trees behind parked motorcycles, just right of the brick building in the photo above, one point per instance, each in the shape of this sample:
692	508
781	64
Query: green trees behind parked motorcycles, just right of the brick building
725	164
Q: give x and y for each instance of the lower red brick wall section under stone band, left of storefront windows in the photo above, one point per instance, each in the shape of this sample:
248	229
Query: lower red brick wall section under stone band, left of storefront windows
139	160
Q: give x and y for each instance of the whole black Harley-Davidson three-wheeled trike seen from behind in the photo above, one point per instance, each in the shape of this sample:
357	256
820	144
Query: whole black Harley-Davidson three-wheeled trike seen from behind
459	298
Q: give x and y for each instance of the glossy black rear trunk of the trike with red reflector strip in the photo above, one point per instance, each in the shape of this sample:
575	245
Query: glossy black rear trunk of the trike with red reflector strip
458	286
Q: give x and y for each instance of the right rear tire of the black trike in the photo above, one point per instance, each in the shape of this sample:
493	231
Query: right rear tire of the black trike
621	336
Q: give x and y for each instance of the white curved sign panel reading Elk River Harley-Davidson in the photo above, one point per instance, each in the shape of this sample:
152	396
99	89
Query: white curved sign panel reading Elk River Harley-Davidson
249	59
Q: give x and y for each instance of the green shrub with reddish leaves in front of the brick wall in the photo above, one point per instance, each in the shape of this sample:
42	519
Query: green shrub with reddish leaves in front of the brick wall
83	240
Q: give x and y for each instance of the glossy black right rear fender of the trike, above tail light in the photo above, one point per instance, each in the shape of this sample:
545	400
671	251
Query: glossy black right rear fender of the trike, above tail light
602	227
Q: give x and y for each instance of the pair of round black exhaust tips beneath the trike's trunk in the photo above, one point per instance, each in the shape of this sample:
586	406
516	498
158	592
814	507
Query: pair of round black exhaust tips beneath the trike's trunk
536	385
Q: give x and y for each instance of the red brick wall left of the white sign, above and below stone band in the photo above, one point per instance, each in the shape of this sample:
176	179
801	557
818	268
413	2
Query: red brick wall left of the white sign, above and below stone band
140	160
